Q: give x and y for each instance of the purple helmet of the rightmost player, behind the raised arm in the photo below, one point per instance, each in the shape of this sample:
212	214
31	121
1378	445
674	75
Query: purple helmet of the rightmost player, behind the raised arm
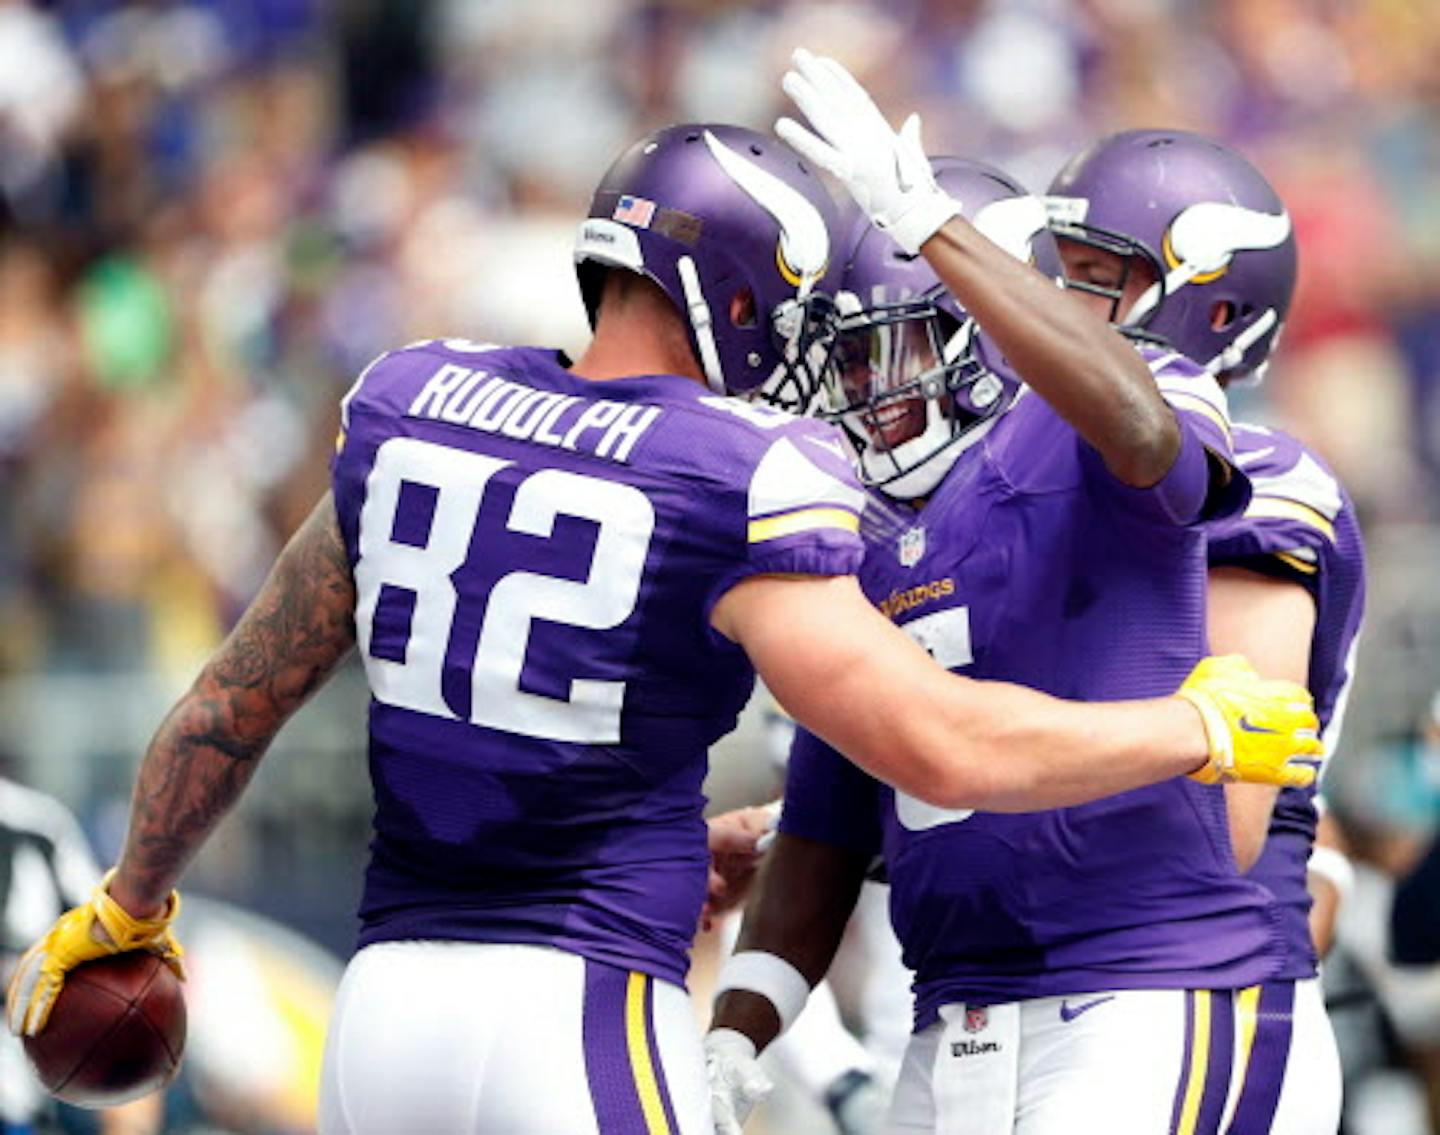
1210	228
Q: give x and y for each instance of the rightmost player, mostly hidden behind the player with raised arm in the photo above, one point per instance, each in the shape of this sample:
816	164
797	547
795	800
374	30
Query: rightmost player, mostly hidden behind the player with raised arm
1182	241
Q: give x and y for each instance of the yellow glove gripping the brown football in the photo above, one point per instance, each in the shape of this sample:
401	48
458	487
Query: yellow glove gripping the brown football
76	940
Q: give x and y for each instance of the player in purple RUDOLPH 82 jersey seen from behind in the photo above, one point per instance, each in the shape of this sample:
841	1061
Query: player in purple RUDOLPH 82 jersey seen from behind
562	580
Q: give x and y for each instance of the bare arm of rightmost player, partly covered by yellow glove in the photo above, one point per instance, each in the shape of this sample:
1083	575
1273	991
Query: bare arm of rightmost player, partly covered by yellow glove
1272	623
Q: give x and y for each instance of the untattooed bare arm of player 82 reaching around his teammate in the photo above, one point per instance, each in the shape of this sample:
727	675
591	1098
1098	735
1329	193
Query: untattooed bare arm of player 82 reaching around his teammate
850	676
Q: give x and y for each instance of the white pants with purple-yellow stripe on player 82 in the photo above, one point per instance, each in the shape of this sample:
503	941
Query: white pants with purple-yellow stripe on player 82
462	1038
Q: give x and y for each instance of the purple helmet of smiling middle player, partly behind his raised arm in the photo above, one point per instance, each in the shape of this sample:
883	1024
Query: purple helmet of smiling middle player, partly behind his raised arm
912	378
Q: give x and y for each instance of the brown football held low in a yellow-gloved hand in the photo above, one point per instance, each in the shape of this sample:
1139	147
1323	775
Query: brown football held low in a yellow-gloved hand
116	1033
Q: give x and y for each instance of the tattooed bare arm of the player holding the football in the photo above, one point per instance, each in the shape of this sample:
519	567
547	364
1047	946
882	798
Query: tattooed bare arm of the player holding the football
289	643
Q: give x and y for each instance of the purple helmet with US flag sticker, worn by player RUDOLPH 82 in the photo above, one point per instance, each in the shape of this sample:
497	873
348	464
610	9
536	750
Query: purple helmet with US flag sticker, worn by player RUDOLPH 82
737	231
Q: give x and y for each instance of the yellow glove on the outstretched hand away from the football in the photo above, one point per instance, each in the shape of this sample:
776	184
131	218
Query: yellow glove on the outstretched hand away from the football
1258	728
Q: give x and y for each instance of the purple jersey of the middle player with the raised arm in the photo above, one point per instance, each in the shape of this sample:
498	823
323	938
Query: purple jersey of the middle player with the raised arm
1035	565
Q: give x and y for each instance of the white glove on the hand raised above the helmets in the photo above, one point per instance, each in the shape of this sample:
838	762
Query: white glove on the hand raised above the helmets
886	172
